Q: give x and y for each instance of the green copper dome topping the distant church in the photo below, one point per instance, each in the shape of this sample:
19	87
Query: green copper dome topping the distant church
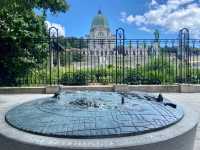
99	21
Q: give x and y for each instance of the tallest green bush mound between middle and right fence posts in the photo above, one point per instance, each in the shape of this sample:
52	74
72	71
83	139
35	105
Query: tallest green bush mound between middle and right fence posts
156	71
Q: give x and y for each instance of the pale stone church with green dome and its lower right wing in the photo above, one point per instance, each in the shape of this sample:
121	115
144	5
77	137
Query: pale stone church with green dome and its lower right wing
101	41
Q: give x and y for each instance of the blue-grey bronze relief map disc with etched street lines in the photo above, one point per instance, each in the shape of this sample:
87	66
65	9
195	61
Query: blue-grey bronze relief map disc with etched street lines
94	115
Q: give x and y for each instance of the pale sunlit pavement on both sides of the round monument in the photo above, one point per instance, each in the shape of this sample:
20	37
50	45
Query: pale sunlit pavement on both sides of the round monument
192	100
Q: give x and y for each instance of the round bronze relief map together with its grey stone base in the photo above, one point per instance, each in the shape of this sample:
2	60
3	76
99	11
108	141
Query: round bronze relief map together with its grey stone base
100	120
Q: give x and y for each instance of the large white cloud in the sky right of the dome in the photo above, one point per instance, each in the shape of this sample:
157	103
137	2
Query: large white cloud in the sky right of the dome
171	16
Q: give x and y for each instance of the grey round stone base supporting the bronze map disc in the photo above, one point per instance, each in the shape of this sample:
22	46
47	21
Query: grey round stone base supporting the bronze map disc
178	135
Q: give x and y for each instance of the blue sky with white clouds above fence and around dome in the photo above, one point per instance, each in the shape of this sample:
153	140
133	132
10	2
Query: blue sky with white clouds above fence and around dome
139	18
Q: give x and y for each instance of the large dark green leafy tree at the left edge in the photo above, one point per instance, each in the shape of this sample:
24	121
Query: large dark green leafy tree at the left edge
23	36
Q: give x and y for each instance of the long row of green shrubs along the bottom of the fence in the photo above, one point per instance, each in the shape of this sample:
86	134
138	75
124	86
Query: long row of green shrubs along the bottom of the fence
148	74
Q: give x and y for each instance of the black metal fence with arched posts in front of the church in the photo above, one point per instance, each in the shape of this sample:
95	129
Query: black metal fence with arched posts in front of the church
73	61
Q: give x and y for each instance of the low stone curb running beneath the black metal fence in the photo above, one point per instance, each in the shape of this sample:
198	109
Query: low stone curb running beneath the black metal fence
177	88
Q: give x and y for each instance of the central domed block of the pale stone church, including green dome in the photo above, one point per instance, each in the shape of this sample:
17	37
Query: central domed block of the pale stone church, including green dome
101	39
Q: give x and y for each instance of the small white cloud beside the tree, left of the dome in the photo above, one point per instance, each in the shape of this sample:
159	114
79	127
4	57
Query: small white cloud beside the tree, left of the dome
61	29
